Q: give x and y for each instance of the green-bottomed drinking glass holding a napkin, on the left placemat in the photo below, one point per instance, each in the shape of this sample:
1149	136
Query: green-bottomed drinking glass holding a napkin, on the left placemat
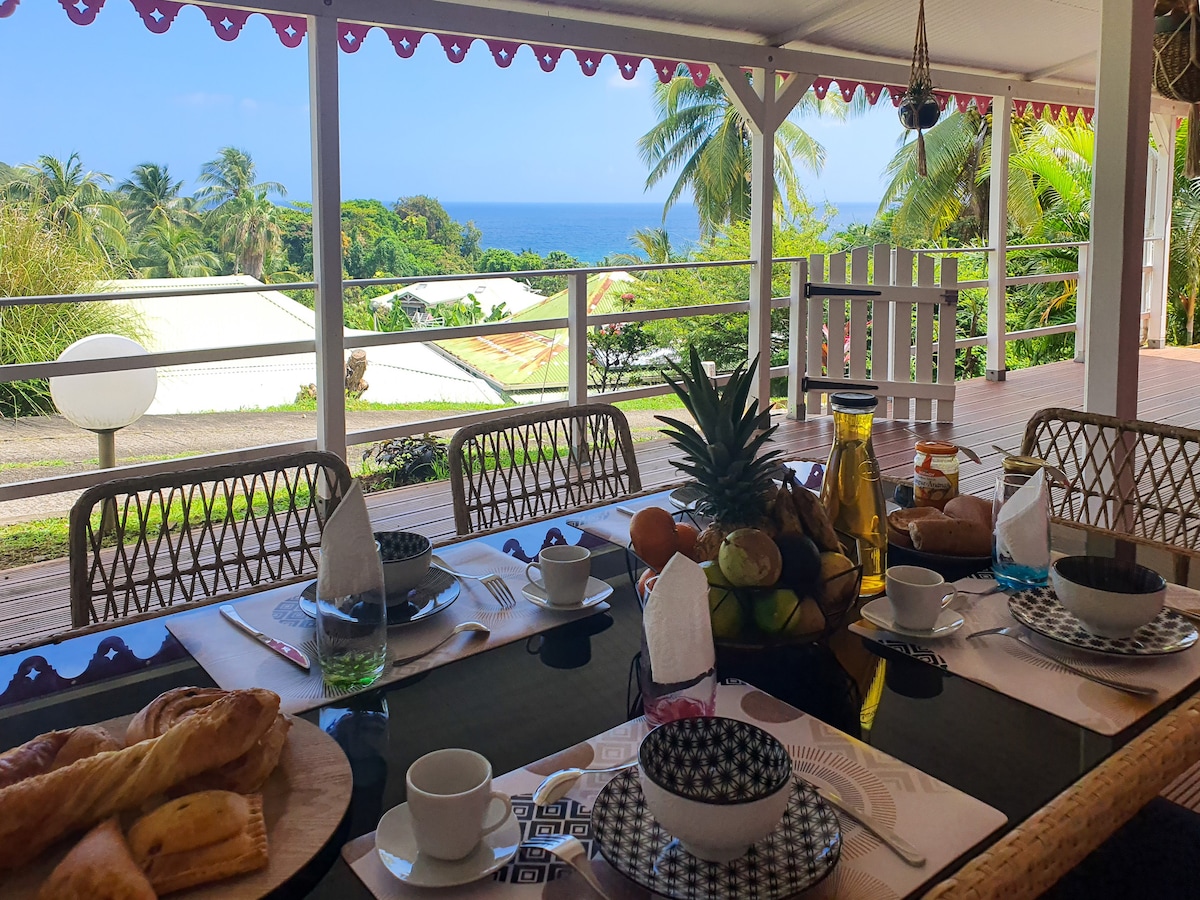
352	635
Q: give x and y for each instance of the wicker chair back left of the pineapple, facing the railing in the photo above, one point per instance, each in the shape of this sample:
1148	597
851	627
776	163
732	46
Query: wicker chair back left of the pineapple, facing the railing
539	464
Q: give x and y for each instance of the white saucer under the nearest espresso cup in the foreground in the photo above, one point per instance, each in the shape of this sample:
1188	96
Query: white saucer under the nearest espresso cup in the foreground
397	848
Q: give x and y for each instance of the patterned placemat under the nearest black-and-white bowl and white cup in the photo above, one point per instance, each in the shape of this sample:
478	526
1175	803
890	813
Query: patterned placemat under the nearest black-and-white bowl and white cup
939	820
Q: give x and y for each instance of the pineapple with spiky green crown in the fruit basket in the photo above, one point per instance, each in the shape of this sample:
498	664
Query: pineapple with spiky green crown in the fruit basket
723	455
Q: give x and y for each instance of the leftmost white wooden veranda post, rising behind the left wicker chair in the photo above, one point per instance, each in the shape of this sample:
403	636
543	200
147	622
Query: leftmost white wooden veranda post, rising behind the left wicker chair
327	232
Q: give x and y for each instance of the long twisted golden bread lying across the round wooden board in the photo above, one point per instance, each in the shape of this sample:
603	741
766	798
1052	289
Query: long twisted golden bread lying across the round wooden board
40	811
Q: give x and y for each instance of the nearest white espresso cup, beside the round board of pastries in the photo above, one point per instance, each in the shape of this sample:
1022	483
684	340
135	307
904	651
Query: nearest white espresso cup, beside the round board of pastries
449	796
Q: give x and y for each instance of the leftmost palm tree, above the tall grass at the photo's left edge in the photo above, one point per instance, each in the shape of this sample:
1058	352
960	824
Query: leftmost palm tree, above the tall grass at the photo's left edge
73	200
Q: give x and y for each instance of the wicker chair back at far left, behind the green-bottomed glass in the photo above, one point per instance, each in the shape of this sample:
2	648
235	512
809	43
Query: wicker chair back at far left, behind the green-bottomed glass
142	545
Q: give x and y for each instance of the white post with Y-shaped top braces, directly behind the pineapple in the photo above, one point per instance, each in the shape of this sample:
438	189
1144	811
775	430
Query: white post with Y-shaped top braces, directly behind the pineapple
764	104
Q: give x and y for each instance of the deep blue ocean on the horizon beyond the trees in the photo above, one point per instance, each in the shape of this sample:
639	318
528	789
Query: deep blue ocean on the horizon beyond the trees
595	231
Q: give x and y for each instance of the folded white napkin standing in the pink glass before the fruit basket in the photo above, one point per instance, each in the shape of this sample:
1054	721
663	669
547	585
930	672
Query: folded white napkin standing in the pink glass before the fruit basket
679	628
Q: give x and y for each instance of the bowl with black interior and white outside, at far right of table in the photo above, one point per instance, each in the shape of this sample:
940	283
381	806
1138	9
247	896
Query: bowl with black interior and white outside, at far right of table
1112	598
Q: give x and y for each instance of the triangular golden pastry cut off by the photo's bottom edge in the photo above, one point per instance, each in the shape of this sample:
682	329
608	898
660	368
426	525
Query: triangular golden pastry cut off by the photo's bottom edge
99	868
